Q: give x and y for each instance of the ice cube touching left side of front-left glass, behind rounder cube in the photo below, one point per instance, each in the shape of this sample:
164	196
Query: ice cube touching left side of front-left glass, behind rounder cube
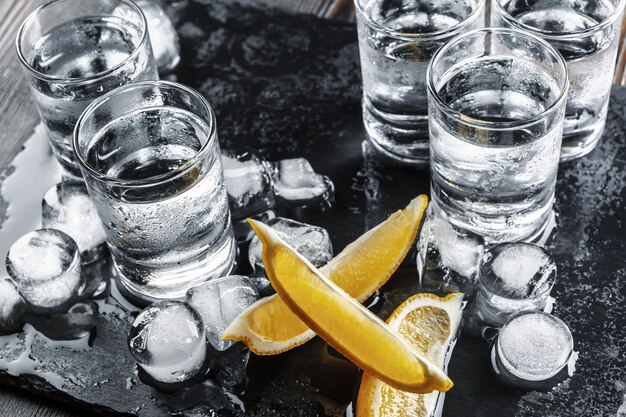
67	207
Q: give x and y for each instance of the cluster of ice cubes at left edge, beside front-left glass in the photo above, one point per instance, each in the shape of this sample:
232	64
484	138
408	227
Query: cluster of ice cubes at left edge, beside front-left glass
52	268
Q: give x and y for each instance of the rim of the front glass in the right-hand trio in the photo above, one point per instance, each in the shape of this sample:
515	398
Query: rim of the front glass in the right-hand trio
486	124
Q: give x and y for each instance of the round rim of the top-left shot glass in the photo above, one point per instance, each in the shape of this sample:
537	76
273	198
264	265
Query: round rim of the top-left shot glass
71	81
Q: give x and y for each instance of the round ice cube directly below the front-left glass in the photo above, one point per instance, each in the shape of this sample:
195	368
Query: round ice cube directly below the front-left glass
168	341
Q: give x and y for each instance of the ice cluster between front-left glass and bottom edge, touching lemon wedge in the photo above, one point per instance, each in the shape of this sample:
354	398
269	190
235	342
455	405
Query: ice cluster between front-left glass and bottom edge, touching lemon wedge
175	342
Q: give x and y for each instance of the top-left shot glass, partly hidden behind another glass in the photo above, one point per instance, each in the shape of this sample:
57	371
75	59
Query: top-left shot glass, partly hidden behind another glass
73	51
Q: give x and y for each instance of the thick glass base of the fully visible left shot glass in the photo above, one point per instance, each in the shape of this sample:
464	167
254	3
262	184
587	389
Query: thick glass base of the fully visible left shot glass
172	283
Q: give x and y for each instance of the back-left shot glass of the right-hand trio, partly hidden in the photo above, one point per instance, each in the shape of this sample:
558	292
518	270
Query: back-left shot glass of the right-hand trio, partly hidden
397	40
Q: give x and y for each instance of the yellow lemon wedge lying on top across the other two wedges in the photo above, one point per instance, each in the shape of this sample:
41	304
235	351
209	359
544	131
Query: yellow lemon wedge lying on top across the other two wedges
343	322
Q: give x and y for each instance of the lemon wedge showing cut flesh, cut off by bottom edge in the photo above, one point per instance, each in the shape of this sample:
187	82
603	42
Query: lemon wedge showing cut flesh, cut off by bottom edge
429	324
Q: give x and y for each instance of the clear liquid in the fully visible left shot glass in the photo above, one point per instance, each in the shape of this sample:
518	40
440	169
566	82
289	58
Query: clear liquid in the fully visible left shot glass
174	233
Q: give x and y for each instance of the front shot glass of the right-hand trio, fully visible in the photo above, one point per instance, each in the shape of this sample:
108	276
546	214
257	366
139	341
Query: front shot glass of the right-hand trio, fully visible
496	104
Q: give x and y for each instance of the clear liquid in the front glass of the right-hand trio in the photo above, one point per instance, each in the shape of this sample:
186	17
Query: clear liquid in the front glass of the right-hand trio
498	184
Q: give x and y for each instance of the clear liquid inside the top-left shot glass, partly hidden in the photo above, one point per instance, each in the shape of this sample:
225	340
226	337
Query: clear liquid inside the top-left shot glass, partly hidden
74	54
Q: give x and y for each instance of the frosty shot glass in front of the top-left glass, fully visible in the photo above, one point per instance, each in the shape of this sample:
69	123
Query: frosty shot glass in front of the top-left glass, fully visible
150	156
